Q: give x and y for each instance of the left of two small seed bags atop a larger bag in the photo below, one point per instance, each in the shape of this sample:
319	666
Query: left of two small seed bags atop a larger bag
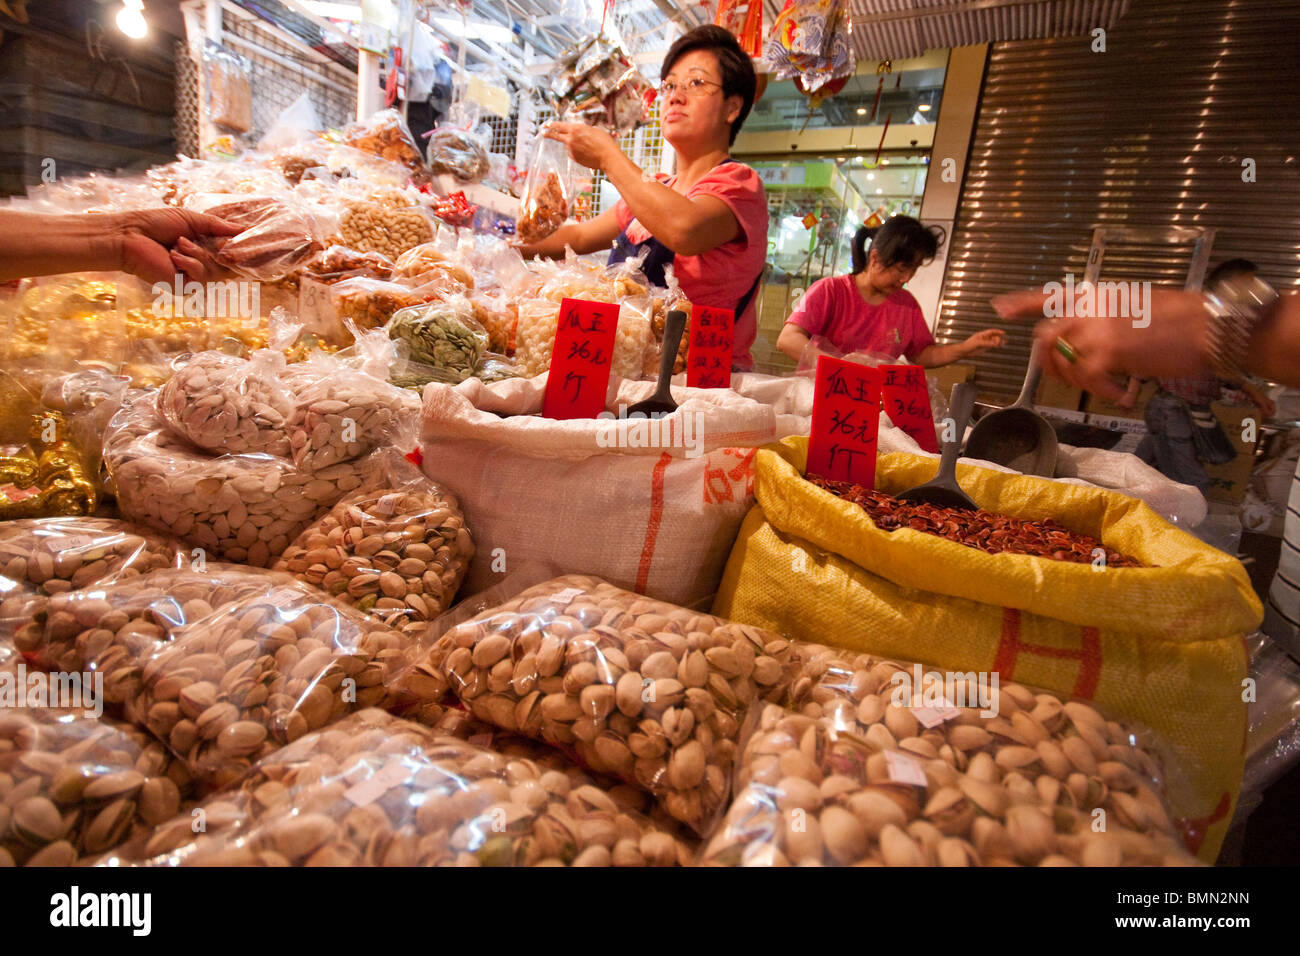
227	404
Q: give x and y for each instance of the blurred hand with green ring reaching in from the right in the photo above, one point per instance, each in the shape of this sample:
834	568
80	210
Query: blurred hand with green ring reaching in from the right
1165	338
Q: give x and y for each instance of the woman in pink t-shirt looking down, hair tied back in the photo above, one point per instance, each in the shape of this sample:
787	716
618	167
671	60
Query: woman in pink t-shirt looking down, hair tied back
869	310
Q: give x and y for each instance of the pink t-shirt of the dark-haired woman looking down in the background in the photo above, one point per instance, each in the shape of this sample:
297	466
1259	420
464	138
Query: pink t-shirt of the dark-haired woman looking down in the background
834	309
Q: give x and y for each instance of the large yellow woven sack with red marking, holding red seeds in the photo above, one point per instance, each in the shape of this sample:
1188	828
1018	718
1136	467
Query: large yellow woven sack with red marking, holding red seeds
1160	644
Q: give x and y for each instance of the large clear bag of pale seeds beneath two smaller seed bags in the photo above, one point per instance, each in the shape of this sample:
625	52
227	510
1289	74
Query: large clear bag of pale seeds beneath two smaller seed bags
239	508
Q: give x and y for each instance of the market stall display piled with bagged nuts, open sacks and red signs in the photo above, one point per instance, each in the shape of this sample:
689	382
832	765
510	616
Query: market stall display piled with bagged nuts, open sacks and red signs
357	551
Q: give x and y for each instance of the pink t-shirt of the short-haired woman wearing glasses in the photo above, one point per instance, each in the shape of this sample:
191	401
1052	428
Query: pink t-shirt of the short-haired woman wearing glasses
722	276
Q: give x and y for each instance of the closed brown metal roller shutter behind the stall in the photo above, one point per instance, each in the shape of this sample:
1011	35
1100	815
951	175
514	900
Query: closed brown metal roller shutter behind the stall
1151	133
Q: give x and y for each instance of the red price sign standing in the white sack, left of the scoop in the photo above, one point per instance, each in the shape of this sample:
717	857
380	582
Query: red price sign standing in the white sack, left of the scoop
580	364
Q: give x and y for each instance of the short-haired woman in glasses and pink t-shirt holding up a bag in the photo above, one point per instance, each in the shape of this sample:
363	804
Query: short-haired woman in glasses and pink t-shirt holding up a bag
710	220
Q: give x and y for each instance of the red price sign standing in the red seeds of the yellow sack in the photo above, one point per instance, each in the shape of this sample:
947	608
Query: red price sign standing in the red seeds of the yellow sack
846	422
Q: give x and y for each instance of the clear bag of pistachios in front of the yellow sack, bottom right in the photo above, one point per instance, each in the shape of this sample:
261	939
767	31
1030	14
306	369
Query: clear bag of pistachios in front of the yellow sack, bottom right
868	768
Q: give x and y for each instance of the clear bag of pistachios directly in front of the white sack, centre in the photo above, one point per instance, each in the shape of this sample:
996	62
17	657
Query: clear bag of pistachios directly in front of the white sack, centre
645	691
